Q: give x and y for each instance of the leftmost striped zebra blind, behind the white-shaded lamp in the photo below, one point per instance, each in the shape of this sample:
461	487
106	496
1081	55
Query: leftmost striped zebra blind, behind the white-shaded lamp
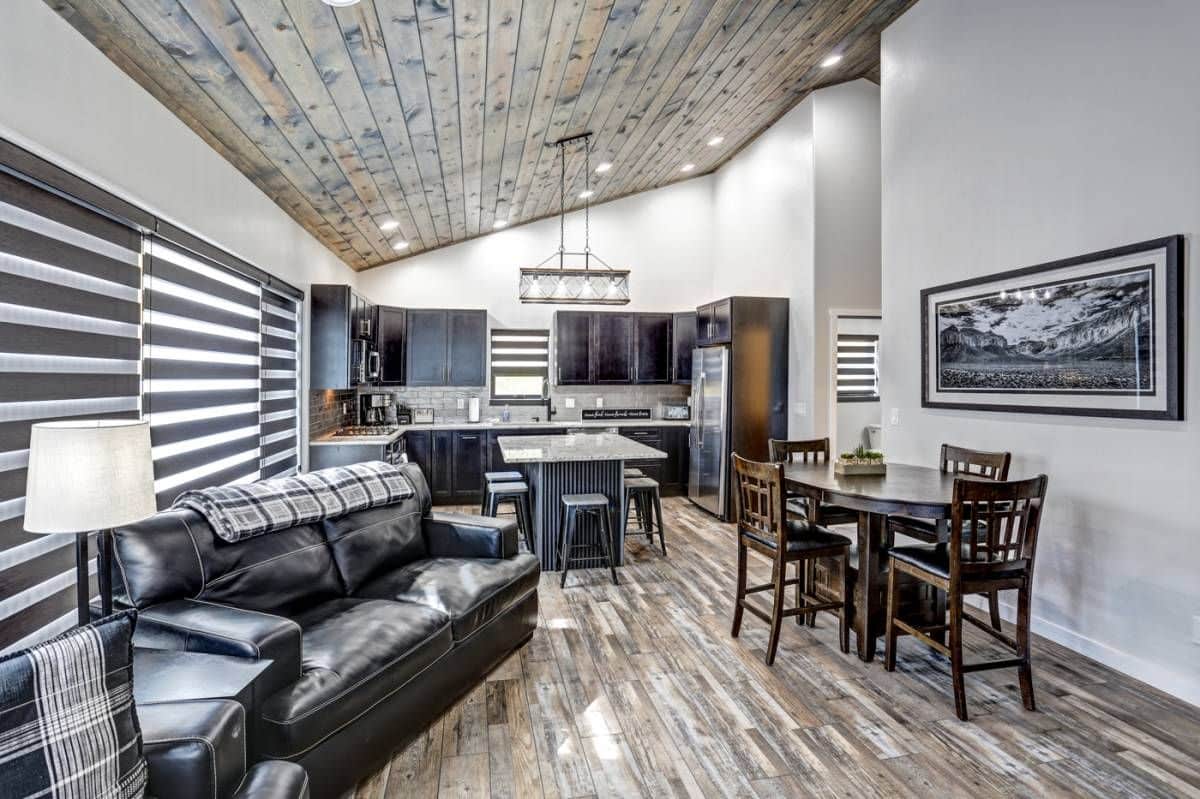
70	341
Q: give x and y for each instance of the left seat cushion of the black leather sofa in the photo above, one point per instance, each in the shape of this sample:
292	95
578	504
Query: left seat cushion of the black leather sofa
356	653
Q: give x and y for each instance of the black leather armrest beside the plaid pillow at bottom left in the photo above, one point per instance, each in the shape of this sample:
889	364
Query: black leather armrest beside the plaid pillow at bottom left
195	749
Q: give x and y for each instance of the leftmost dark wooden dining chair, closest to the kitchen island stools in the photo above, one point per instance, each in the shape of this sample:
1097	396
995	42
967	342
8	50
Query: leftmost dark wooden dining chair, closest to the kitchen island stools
765	526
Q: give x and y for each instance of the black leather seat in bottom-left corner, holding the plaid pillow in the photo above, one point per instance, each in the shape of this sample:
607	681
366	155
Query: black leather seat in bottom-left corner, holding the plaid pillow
197	750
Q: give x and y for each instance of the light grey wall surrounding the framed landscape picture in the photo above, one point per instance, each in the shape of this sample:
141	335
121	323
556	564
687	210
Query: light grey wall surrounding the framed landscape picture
1027	131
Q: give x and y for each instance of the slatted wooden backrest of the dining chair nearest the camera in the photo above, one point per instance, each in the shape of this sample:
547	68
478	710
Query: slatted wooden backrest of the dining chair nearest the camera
994	522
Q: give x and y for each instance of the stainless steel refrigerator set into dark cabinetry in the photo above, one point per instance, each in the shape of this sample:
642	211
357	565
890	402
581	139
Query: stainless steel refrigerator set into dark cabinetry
709	459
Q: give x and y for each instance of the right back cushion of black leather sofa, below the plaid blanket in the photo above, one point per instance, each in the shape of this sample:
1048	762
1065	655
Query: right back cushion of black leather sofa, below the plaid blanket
370	543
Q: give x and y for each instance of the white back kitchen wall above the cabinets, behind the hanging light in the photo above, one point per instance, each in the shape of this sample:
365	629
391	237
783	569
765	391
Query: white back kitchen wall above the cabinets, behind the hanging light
663	237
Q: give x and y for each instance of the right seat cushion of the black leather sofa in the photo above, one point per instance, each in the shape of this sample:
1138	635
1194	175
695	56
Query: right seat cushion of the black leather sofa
471	591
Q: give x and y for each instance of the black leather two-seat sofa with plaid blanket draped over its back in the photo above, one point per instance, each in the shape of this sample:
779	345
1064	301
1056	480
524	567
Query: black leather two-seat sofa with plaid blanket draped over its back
375	623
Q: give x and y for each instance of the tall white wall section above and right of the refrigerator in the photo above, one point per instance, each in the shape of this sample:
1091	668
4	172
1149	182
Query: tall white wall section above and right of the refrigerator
797	214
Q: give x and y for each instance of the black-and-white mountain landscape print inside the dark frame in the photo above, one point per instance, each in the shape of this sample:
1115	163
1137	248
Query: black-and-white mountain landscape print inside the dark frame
1089	335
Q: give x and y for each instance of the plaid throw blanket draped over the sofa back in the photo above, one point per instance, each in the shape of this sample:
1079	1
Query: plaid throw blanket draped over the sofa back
243	512
